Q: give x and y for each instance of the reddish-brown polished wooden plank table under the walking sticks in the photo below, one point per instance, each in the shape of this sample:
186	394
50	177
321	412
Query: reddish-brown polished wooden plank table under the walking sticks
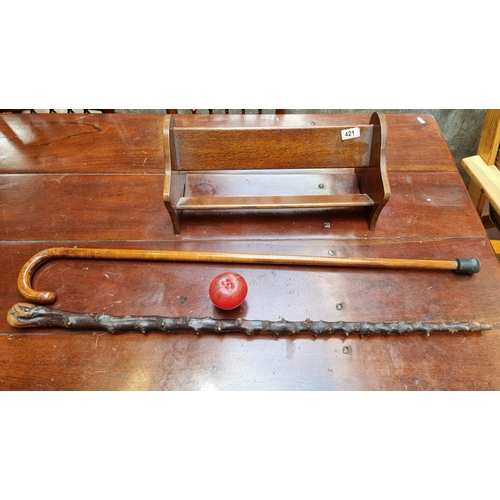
97	181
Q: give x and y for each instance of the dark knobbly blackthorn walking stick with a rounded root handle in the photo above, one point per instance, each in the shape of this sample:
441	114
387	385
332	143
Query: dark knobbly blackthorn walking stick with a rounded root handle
27	315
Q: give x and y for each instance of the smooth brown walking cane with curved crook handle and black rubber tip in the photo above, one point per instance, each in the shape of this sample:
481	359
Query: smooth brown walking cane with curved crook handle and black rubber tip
462	266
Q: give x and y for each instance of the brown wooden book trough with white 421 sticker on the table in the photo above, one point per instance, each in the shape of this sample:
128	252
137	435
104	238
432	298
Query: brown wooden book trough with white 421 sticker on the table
209	162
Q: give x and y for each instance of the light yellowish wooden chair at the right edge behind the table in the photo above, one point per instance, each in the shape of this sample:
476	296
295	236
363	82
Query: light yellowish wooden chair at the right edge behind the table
484	171
